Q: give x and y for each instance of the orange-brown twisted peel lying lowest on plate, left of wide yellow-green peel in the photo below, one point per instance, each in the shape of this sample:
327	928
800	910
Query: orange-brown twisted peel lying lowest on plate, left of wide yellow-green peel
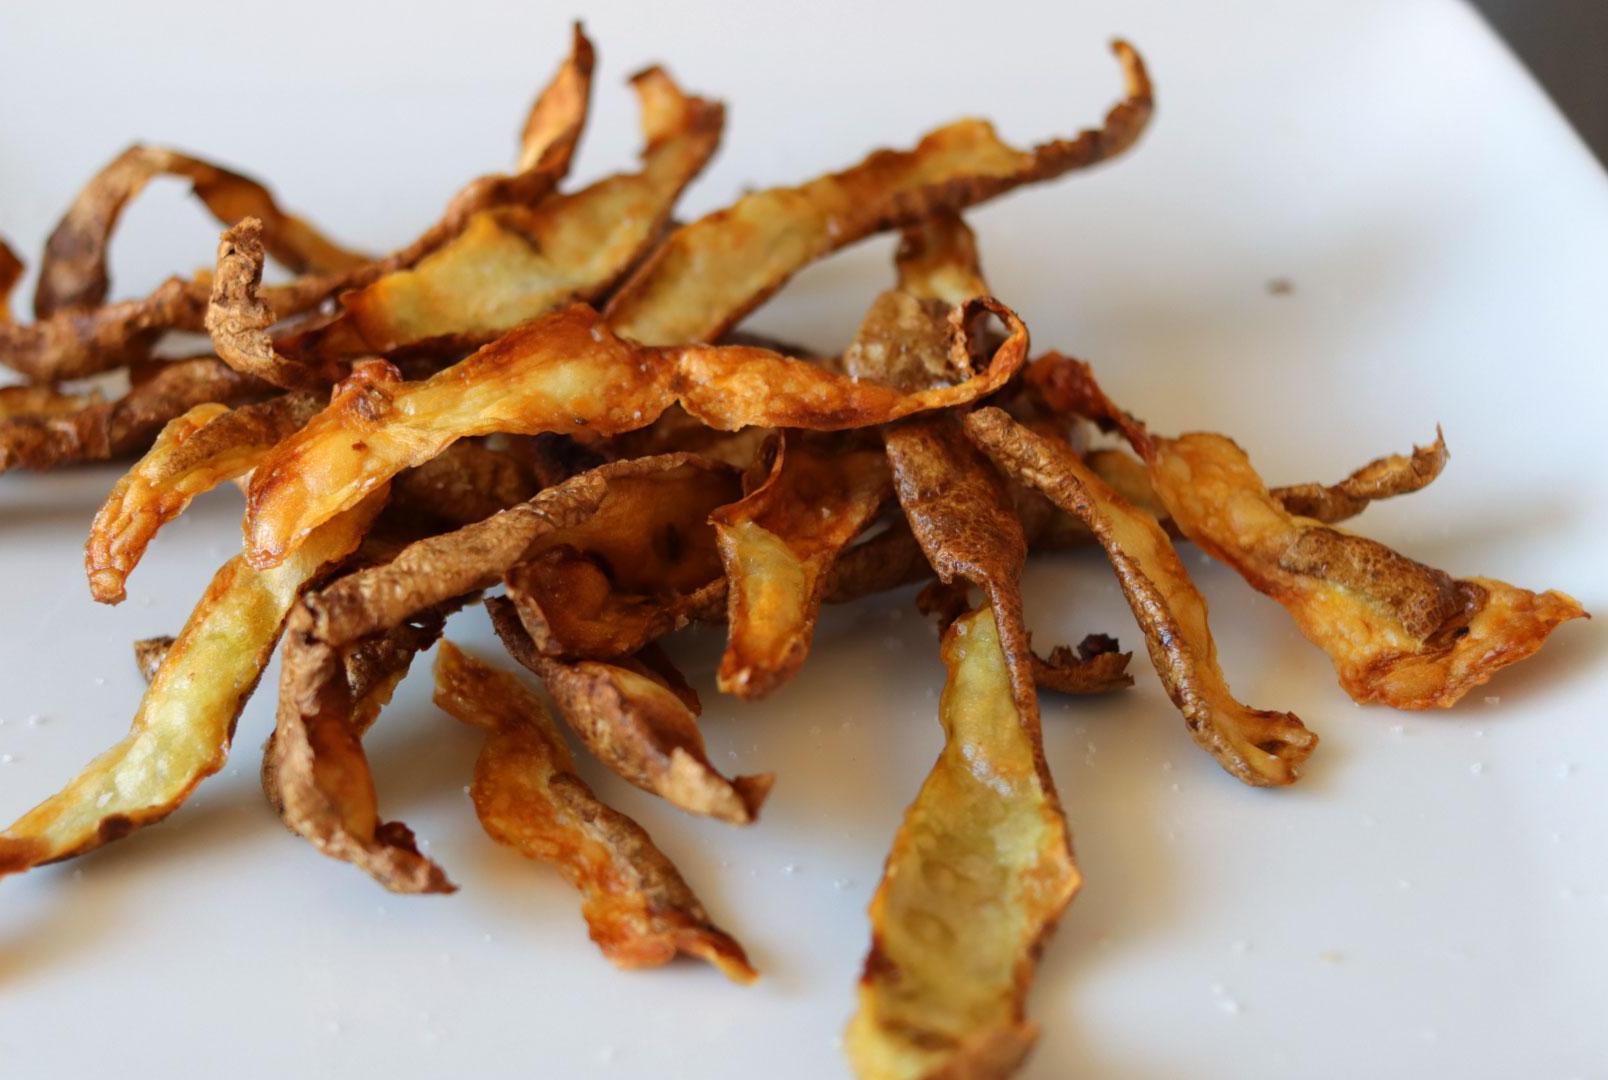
638	906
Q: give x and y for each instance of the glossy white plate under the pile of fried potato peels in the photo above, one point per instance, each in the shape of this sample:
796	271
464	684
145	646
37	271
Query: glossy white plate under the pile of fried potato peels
1430	901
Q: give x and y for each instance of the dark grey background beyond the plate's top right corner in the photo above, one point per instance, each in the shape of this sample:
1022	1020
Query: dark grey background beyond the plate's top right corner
1565	43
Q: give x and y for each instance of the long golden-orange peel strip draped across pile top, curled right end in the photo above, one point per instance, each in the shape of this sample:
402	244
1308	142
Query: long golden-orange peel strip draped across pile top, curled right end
568	372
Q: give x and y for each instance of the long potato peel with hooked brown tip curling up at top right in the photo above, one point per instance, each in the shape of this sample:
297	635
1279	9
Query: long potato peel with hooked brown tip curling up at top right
713	272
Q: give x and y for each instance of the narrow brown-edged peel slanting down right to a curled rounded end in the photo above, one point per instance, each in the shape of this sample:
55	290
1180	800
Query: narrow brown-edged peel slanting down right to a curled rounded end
1257	747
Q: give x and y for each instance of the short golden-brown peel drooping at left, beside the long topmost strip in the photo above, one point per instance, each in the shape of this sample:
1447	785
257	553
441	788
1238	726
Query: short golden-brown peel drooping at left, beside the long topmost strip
194	454
